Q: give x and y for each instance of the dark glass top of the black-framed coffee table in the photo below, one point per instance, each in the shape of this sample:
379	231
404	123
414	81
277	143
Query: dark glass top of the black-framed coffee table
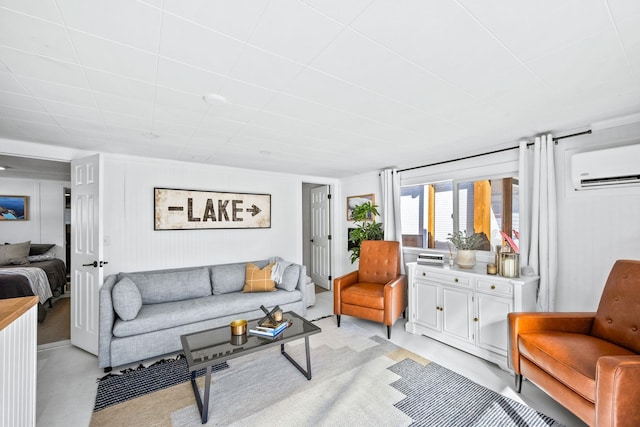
218	345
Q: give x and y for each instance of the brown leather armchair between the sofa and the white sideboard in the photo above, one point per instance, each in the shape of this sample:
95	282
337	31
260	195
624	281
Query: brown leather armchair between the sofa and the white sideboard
376	291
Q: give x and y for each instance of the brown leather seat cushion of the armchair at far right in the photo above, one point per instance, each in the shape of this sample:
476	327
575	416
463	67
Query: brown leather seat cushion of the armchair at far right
575	364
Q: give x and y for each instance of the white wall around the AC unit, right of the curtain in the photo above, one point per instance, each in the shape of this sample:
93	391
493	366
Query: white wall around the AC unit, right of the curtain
595	227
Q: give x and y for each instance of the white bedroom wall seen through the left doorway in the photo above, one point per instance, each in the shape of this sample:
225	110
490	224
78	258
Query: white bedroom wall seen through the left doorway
46	213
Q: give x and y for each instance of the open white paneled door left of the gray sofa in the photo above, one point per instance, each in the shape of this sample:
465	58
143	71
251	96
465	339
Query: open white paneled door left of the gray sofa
86	251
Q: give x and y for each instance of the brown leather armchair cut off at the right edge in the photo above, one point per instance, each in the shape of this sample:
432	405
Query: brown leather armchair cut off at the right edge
588	362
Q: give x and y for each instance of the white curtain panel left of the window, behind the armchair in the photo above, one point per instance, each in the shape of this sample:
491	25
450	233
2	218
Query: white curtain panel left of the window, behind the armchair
390	207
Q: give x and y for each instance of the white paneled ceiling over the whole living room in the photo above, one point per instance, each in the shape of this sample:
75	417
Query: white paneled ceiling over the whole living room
315	87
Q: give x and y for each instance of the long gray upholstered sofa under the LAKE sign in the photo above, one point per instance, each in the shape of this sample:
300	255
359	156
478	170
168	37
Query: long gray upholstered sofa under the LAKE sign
143	314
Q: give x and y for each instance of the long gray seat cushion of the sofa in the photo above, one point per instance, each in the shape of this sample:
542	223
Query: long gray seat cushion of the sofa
154	317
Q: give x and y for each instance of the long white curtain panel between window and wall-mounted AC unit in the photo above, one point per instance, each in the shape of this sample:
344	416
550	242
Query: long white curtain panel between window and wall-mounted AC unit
538	217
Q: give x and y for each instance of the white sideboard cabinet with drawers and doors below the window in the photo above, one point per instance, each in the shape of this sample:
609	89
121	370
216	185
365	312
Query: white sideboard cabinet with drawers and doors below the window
467	309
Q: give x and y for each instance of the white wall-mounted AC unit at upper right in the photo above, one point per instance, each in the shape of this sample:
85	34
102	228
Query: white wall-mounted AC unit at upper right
611	167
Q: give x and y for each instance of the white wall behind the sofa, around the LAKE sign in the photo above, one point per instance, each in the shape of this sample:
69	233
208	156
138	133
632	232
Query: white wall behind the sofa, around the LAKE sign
131	243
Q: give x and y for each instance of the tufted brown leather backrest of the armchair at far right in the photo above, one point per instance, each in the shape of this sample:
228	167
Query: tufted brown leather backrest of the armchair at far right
618	316
